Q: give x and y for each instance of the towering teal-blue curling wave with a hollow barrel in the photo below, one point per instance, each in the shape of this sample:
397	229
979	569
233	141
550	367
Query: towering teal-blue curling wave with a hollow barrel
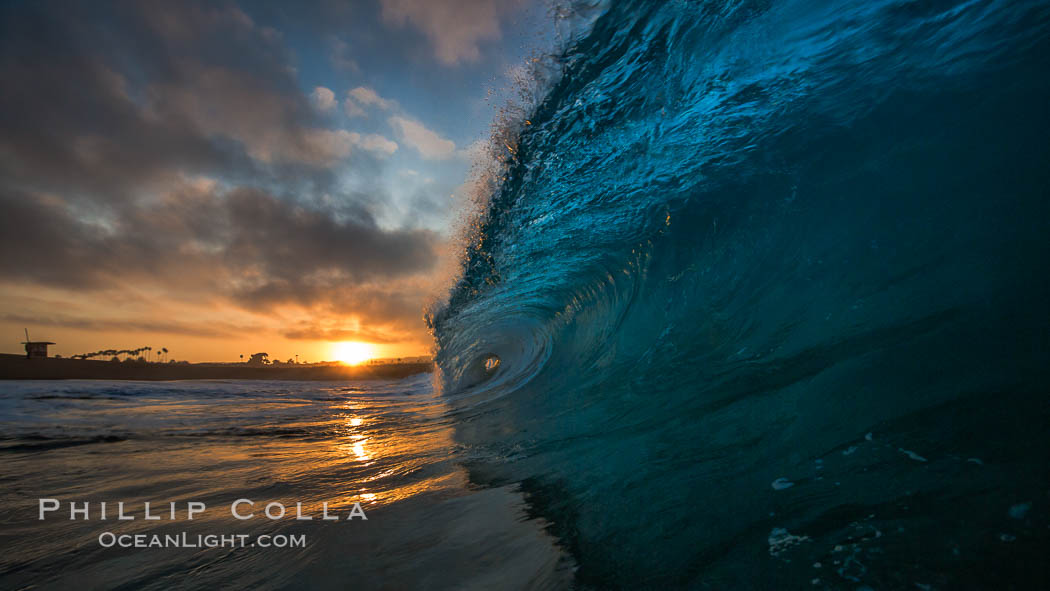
767	285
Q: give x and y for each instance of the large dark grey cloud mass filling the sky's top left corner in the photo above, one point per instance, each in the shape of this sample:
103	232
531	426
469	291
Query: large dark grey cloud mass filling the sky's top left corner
106	100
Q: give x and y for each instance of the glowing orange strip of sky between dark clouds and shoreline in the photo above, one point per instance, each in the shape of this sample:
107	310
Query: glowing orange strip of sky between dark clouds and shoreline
191	332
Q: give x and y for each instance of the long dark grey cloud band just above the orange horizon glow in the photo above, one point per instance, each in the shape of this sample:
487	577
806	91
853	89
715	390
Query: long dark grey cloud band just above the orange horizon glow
245	244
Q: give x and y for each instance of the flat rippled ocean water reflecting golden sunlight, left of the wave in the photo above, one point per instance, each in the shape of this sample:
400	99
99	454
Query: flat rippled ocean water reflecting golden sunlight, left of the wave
385	445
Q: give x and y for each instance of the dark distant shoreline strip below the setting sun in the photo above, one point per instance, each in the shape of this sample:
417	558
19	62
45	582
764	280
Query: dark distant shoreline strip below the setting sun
18	368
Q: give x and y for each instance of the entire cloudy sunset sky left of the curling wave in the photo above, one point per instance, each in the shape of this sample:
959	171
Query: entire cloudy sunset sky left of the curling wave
222	179
